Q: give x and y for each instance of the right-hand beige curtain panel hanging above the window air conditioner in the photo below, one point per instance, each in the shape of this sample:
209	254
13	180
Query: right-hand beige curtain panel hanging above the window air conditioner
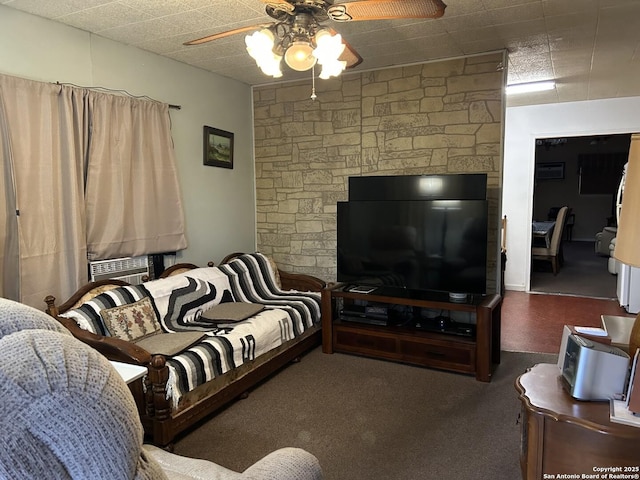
132	194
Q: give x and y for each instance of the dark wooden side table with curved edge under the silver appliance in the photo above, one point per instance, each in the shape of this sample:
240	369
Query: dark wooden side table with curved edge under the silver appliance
565	436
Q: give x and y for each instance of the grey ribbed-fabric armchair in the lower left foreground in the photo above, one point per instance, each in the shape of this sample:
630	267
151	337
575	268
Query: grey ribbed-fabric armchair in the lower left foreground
66	413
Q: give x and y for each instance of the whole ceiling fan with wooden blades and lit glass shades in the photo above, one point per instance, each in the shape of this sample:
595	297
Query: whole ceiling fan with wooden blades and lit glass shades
297	34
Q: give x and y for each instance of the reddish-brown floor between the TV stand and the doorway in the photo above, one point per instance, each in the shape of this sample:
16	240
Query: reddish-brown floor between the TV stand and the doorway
533	322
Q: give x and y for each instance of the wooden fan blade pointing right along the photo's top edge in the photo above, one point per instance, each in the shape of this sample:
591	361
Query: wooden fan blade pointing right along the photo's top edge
385	9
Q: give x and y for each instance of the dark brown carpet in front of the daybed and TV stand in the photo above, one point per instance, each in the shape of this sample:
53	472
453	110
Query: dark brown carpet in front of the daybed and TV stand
369	419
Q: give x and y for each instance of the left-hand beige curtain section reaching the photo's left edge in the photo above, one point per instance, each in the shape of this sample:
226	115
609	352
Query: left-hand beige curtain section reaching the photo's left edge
43	148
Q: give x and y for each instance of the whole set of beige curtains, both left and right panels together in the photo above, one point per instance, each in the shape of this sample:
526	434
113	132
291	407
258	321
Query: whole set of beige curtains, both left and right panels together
80	167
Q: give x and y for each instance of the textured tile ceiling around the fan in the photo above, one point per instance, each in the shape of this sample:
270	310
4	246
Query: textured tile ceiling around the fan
591	47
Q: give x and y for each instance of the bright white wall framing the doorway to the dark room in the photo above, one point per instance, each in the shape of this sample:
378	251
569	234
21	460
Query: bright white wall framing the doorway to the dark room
522	126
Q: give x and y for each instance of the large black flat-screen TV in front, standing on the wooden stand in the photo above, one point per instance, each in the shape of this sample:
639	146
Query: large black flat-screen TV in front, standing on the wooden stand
433	245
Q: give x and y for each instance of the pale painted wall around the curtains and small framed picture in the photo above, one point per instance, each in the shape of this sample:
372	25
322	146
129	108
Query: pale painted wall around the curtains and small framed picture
219	203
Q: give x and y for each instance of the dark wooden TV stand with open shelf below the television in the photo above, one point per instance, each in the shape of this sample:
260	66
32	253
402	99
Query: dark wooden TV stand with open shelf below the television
470	353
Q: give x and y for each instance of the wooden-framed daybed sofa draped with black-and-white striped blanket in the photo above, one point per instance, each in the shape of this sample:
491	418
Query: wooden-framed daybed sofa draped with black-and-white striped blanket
214	360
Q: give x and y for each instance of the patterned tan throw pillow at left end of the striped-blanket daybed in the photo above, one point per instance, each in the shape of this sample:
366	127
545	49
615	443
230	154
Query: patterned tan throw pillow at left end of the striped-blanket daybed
131	321
